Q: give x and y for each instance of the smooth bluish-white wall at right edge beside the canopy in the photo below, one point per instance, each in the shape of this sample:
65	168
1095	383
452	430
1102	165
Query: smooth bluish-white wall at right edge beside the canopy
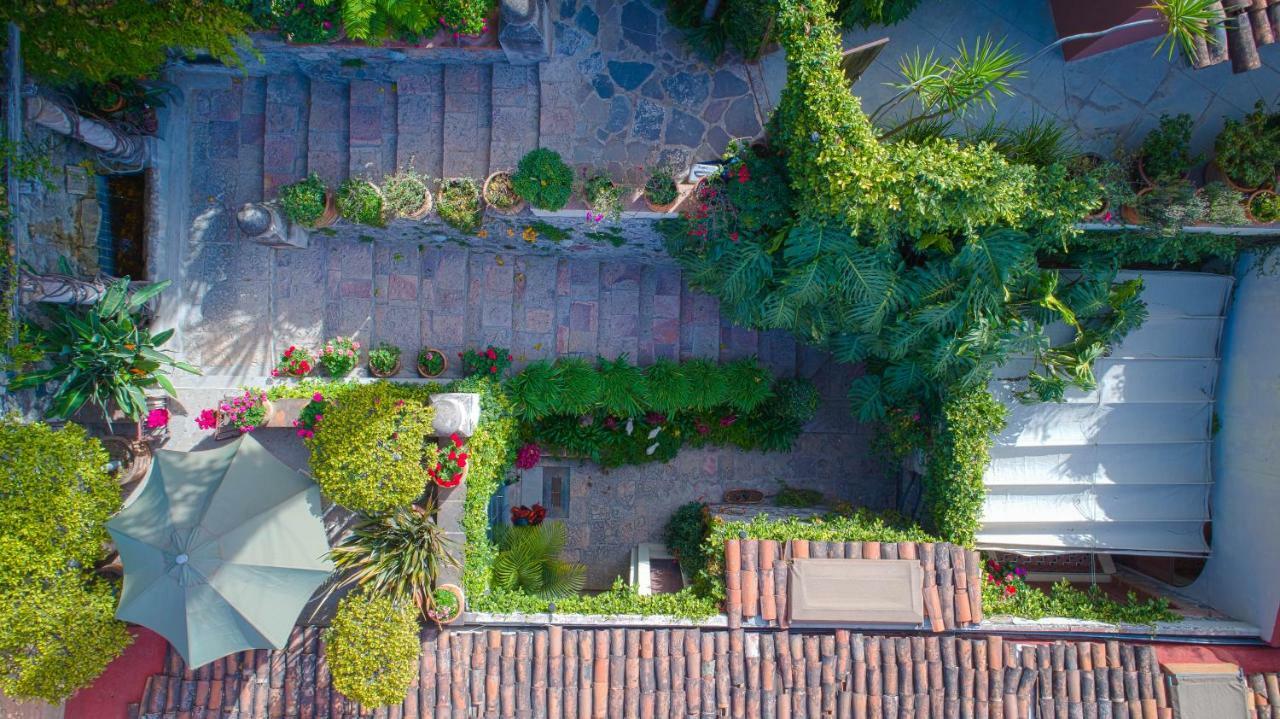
1242	578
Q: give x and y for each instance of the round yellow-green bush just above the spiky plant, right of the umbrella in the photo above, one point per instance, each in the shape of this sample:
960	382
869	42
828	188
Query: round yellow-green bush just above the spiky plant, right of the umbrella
368	454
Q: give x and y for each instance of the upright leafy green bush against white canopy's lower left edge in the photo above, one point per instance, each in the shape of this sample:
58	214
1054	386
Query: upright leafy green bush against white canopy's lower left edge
957	459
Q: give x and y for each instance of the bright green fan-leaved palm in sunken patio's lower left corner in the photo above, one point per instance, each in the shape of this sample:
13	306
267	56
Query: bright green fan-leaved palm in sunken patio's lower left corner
529	561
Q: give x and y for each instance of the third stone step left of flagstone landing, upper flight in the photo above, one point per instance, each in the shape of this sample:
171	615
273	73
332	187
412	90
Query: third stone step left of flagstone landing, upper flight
420	121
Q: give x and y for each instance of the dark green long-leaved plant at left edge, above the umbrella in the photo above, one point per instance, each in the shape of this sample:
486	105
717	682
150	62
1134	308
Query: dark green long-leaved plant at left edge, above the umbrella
104	354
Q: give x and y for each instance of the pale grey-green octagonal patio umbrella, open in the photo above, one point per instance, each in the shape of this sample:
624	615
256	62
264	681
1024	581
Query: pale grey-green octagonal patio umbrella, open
222	549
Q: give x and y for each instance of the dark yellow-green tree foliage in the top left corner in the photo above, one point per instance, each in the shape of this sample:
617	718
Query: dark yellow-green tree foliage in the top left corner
99	42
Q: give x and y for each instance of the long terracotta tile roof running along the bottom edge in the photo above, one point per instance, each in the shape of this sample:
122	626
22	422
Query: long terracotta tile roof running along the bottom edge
597	674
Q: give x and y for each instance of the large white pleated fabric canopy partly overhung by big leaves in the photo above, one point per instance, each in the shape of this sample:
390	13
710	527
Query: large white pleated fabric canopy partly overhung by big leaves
1123	469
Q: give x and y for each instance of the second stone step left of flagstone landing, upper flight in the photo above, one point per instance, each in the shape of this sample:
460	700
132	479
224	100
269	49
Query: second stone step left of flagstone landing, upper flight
468	121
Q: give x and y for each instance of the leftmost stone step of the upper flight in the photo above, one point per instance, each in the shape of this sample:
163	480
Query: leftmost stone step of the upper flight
285	143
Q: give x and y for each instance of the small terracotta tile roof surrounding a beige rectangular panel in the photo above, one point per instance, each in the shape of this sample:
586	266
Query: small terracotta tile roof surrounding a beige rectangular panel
756	578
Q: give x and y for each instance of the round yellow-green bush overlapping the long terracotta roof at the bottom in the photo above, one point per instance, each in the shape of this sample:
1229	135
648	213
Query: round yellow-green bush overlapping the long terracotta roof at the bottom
373	649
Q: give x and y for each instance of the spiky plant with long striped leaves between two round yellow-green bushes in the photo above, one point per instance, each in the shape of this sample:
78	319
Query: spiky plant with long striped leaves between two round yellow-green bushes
399	555
